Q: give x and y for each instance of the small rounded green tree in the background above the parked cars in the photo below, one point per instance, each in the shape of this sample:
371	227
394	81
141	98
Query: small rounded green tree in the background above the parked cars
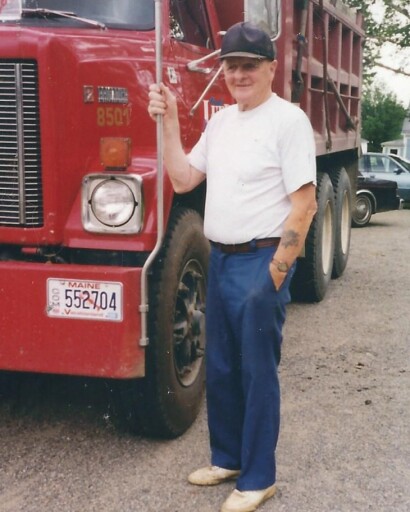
382	117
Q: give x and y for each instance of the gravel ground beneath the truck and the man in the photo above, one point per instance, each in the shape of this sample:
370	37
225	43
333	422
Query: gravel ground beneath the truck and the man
345	439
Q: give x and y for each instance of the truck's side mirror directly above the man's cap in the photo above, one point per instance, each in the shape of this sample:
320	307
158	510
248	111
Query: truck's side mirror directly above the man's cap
266	14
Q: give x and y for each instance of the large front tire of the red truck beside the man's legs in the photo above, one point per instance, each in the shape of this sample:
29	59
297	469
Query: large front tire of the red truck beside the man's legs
166	402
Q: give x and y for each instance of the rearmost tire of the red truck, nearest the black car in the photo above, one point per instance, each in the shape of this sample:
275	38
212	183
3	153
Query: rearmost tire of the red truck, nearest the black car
343	220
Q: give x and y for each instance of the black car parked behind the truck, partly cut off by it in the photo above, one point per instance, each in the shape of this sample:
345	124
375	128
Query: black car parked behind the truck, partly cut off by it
374	196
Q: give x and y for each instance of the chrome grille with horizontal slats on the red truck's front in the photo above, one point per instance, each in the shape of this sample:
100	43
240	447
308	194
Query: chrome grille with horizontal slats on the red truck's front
20	159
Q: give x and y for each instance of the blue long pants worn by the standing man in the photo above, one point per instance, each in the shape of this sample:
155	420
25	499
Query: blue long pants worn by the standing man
244	320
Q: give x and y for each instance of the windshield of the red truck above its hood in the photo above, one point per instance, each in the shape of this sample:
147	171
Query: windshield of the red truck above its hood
128	14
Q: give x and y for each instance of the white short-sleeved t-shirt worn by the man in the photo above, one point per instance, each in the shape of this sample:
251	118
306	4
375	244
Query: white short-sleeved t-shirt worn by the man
253	160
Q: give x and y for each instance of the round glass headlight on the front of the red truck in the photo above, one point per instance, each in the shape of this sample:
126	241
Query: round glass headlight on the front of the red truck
113	202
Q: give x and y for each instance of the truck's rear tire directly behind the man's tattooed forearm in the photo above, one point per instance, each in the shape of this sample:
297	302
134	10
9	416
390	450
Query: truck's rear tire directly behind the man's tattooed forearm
314	271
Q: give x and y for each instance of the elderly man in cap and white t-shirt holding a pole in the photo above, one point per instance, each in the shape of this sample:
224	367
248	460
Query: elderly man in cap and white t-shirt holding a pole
258	157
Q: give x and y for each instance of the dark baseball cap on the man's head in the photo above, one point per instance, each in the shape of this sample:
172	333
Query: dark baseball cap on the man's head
246	40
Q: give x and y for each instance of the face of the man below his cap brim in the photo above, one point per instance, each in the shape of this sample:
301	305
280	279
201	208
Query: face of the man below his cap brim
249	80
